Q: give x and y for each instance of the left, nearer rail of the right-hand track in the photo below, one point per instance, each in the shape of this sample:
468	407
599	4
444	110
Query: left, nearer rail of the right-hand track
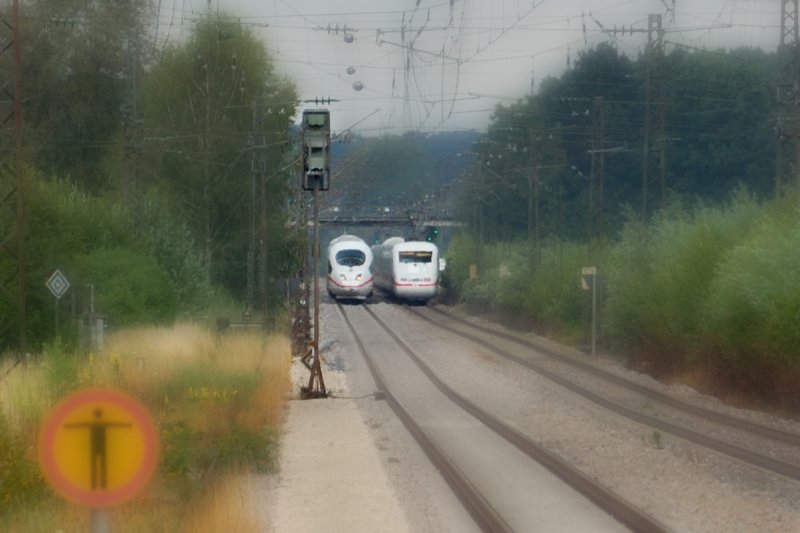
777	466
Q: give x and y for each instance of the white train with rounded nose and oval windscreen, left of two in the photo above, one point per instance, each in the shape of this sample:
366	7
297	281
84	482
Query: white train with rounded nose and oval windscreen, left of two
349	268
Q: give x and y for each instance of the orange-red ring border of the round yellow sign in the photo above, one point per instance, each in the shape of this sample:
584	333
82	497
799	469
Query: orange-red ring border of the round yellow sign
67	488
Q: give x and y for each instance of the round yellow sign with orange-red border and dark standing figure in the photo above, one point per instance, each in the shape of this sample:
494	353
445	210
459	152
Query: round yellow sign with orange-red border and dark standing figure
98	447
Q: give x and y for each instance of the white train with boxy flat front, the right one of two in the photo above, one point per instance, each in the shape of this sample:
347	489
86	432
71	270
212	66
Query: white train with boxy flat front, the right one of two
407	269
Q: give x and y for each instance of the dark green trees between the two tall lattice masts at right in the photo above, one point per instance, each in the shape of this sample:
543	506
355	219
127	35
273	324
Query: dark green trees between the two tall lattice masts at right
721	121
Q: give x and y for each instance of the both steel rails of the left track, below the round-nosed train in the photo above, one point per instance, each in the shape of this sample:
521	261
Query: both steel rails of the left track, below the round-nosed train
473	496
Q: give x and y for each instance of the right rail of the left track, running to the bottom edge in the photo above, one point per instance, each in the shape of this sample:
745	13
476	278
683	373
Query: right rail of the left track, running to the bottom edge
625	512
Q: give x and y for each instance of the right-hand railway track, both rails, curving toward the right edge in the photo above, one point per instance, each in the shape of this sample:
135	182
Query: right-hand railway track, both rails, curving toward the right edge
488	337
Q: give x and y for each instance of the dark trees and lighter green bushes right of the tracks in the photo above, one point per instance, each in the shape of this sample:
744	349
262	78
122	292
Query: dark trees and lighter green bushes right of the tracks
695	240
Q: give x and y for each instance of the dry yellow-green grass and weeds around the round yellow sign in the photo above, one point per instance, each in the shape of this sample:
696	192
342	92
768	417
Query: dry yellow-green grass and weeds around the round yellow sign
217	402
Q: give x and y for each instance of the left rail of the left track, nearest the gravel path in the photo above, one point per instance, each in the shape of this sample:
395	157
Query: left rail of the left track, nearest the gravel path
485	516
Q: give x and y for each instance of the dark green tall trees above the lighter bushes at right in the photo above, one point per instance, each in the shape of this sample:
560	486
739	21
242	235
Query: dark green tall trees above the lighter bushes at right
719	113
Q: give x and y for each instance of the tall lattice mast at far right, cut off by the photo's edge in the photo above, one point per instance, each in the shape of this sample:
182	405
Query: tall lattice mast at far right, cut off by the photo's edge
788	96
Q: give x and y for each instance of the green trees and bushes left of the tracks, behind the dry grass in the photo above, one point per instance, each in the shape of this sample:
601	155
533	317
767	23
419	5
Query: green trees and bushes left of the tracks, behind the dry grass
139	170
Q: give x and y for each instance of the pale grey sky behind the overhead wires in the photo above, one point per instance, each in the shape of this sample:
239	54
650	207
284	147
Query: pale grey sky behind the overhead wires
478	24
